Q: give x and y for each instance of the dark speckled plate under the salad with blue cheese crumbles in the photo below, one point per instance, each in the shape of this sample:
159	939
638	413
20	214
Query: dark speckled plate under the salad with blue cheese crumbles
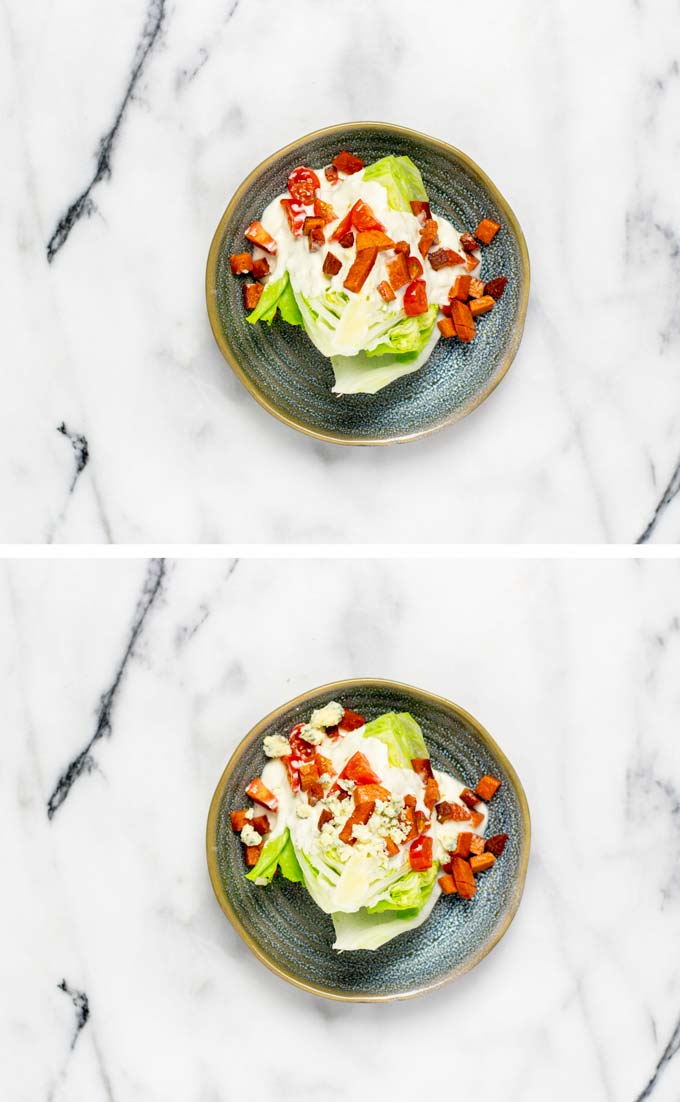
287	931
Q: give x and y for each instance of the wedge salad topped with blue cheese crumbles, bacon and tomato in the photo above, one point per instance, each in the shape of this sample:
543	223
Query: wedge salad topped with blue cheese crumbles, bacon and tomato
355	813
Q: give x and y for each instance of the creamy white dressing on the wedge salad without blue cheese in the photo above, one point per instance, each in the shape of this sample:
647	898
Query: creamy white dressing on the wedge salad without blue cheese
305	267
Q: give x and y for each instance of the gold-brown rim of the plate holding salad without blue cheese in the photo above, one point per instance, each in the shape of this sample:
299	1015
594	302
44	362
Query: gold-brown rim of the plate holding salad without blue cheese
337	438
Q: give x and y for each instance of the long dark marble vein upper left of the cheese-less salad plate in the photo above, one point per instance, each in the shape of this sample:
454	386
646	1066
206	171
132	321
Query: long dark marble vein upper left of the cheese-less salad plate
83	204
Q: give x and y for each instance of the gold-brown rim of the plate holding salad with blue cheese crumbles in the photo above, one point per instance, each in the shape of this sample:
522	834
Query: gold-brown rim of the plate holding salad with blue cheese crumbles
331	689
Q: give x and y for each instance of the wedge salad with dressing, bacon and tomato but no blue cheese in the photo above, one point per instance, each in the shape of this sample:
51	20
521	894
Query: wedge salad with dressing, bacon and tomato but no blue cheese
353	255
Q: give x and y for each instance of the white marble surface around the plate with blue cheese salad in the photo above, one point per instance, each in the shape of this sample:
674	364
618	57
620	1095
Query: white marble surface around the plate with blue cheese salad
574	667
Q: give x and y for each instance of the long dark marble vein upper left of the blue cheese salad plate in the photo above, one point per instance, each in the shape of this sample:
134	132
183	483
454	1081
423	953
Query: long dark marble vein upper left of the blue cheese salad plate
83	762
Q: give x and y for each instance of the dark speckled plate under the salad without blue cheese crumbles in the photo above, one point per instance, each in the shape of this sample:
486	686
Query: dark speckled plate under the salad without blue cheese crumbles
282	368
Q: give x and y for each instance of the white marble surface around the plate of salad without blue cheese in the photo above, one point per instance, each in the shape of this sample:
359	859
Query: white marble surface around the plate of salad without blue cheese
573	111
